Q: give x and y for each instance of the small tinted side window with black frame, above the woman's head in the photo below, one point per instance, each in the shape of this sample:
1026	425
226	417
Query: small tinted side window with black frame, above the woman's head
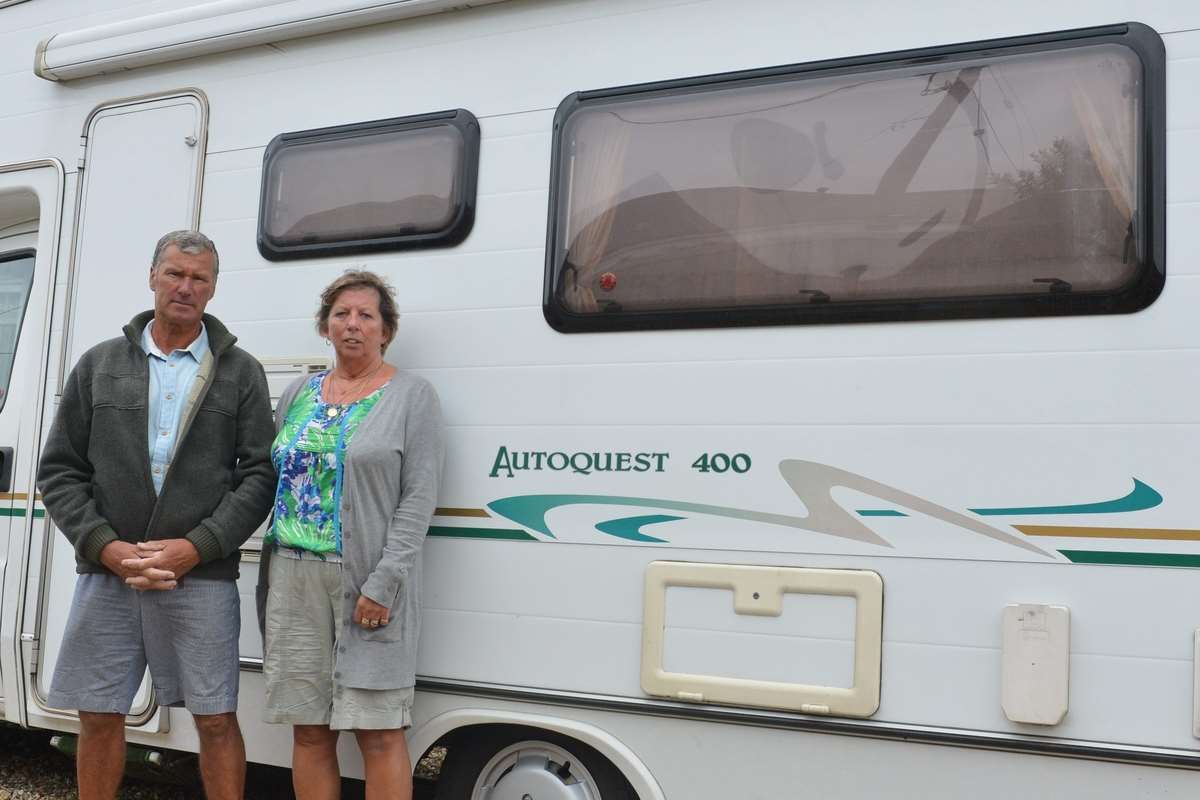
387	185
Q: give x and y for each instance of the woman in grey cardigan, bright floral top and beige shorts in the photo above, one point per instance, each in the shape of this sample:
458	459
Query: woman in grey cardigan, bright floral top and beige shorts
359	452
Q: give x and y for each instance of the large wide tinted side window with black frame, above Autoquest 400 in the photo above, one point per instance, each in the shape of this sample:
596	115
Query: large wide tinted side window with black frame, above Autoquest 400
1013	181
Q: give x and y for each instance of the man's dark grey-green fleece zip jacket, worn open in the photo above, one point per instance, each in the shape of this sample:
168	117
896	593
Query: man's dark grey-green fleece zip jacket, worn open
95	471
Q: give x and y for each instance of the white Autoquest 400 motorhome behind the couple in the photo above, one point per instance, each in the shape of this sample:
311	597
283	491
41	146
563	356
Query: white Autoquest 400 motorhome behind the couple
821	378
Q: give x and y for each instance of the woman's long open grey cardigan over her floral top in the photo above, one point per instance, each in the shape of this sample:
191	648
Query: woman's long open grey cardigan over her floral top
389	492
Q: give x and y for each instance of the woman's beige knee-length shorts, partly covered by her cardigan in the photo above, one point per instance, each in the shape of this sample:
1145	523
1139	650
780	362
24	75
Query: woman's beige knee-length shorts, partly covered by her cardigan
304	619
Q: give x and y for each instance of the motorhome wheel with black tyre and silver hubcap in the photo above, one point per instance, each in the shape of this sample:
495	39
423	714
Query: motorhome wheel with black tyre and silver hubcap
515	763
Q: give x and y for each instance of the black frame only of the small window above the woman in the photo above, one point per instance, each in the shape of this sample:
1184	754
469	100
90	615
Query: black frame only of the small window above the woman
454	233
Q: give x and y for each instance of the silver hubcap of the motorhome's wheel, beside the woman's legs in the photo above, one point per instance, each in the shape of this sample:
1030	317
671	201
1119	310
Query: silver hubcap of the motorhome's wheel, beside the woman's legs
535	771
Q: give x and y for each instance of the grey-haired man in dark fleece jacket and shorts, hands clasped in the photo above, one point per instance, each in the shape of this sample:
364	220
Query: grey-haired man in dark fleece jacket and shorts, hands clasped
158	468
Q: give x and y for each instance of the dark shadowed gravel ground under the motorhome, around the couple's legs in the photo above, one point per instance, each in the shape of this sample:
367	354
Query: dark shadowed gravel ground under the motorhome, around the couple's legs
33	771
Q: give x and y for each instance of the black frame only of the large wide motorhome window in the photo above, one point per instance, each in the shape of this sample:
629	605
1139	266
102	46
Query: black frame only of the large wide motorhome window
1150	224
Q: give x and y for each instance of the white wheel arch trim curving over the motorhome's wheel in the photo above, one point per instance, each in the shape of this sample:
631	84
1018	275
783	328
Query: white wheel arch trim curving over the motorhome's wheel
621	756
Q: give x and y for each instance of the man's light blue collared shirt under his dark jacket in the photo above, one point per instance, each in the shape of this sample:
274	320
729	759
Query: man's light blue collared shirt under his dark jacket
171	382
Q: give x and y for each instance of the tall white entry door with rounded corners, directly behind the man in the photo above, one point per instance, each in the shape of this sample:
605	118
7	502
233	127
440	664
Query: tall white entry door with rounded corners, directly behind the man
141	178
